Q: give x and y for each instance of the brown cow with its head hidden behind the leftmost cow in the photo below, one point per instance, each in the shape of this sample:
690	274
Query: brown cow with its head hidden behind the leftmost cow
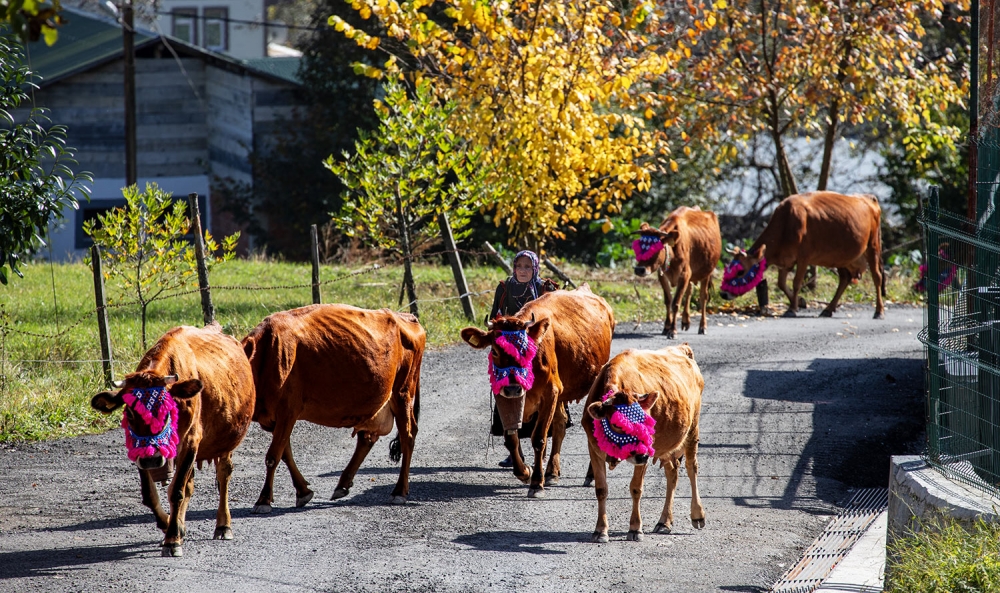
338	366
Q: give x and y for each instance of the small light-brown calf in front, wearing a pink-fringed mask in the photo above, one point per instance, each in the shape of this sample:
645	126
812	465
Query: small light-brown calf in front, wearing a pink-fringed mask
645	404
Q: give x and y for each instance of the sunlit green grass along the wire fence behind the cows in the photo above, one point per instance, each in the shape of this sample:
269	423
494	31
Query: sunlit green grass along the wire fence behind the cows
47	380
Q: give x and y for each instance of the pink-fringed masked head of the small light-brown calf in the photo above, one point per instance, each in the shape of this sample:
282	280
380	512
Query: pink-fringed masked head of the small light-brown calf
623	427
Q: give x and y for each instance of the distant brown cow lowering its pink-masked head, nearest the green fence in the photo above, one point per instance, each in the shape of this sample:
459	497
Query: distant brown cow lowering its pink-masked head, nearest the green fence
820	228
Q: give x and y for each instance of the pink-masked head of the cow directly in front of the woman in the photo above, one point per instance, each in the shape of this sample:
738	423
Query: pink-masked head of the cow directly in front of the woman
513	343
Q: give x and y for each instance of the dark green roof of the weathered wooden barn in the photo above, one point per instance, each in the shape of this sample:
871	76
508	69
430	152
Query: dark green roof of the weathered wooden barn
87	41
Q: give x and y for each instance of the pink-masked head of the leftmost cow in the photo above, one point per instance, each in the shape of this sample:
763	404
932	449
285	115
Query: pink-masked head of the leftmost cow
150	416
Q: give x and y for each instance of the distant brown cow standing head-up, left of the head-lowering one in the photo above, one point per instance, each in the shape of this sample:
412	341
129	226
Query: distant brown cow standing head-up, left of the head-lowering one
684	251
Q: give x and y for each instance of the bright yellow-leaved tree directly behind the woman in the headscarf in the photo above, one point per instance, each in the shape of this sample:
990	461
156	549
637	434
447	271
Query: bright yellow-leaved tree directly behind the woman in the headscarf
557	93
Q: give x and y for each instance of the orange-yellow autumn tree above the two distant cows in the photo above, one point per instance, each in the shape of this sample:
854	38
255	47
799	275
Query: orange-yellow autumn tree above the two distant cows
777	69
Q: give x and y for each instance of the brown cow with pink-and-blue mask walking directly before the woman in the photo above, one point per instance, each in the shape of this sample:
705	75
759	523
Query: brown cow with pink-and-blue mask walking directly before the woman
548	353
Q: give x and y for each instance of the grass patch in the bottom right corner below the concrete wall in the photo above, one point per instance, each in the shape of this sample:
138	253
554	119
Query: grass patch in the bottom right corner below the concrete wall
946	558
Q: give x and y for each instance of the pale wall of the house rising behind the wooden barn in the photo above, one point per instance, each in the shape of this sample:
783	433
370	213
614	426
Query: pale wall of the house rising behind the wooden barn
245	40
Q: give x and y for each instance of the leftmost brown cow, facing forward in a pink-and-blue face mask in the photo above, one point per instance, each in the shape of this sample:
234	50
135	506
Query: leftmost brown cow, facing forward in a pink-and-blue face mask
208	379
